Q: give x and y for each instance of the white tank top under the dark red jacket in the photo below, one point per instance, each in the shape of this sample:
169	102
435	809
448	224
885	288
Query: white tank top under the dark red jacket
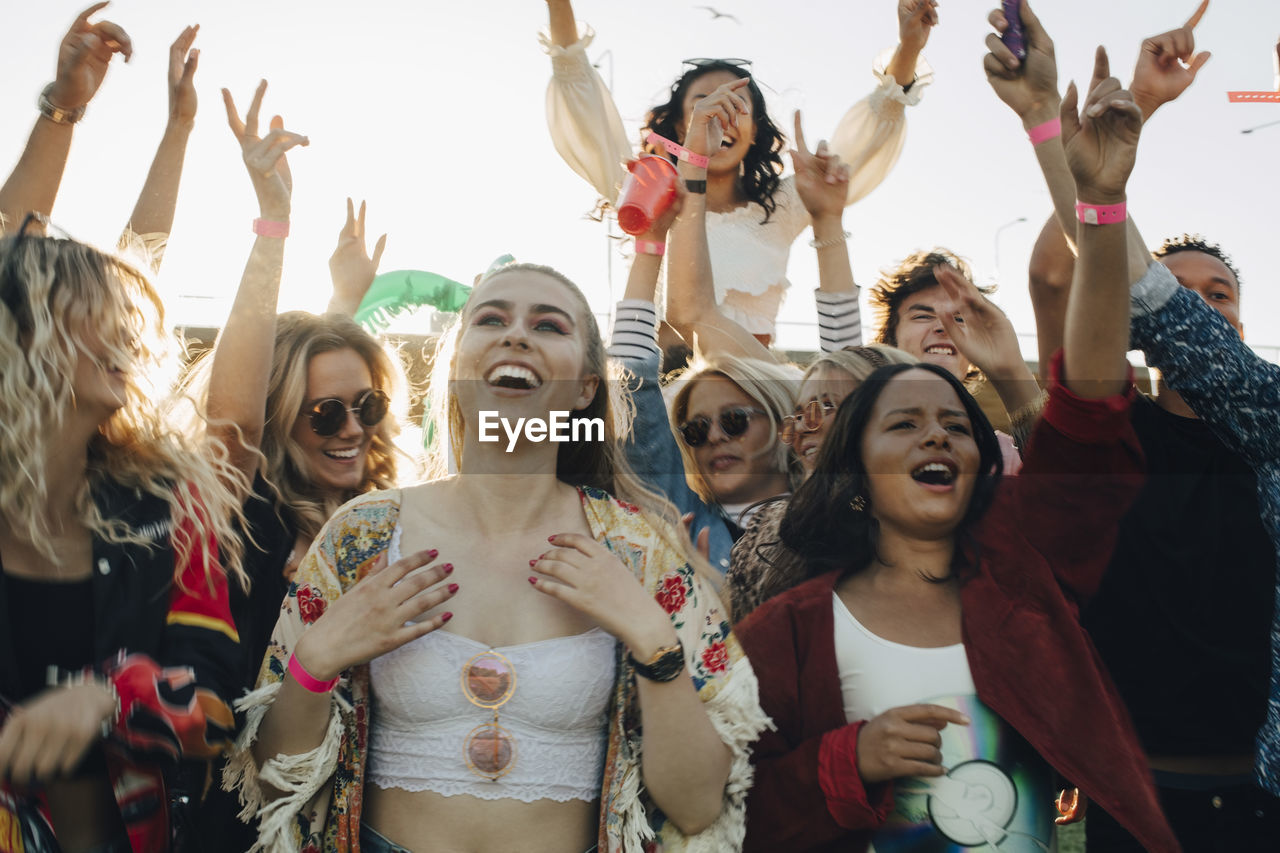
877	674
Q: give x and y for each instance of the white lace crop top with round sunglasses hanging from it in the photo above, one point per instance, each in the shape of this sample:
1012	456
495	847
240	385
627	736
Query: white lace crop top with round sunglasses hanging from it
555	718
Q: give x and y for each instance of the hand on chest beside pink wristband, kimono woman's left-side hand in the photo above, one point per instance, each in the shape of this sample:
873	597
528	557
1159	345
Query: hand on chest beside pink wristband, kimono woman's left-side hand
377	615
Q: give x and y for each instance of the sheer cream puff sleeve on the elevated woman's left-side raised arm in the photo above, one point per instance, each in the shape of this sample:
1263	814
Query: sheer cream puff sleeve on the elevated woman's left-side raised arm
586	126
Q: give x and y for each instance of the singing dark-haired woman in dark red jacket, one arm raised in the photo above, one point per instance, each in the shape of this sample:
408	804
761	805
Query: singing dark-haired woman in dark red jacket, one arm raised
930	682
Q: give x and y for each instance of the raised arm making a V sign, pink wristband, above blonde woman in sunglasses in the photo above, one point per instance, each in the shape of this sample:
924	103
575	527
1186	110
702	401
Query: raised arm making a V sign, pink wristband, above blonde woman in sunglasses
243	359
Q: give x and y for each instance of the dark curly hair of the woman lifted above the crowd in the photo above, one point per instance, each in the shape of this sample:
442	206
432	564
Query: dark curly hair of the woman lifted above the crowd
762	166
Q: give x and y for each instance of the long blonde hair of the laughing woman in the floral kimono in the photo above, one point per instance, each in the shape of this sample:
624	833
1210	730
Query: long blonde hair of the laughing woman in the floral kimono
601	466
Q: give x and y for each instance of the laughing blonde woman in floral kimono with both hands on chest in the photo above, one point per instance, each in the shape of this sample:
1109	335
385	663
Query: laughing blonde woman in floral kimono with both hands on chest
516	727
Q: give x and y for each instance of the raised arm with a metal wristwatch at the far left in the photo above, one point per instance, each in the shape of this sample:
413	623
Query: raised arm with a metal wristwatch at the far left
84	56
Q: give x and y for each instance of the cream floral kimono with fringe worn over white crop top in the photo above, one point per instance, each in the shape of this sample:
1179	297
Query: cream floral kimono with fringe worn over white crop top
324	788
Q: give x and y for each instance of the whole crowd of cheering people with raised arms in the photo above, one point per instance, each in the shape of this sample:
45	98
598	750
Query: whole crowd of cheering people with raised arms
769	608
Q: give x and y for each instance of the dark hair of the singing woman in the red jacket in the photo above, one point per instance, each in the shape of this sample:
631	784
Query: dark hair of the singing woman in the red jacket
821	524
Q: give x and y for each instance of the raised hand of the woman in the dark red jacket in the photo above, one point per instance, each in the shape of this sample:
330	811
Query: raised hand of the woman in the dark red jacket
1101	142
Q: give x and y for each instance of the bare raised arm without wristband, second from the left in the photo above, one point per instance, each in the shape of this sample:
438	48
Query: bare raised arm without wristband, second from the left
153	215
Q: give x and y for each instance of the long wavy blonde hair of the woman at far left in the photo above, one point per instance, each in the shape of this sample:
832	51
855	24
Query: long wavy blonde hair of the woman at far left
56	295
